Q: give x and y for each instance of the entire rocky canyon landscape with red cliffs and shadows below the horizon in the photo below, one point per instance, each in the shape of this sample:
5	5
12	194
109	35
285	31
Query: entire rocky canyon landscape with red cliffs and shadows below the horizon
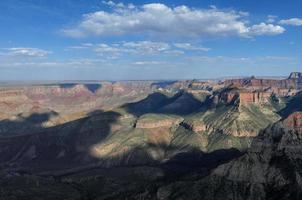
152	139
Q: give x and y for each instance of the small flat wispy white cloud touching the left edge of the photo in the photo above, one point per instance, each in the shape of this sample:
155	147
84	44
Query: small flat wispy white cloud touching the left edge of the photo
27	52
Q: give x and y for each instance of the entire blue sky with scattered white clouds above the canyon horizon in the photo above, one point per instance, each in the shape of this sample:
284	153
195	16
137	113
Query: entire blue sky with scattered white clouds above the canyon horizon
144	40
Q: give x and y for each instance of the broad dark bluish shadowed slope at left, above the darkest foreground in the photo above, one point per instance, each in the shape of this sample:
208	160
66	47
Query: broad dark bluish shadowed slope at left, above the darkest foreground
63	146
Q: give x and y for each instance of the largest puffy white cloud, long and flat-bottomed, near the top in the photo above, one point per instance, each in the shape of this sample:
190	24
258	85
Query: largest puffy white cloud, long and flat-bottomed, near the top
157	19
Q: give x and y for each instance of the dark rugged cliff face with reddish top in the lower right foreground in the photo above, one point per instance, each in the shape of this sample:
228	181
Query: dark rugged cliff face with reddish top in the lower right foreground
271	169
